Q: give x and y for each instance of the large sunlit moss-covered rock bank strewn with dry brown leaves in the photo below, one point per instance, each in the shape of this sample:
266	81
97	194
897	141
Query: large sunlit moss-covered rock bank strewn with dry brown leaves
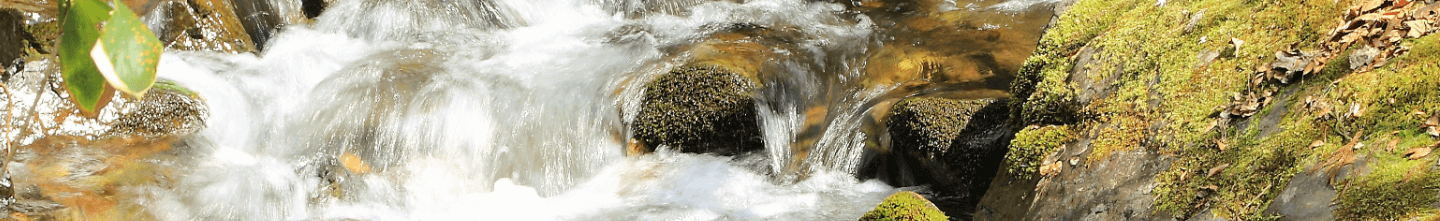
1189	82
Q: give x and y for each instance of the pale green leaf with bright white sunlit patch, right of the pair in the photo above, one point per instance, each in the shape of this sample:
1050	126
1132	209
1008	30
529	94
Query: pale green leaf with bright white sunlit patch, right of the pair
127	53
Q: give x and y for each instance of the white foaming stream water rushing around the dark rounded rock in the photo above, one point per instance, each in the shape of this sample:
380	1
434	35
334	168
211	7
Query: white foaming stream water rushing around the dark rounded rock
509	110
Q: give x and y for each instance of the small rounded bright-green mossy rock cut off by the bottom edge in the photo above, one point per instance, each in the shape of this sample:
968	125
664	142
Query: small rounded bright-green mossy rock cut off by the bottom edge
905	206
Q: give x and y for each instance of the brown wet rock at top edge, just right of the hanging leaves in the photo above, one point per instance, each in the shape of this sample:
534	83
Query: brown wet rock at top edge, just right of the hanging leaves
199	25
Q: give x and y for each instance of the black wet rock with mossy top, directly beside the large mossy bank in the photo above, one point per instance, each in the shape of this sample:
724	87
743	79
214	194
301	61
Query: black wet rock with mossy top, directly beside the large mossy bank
955	147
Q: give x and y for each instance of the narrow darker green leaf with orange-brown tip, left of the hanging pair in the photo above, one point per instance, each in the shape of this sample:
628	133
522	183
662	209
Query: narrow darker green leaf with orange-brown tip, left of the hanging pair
80	30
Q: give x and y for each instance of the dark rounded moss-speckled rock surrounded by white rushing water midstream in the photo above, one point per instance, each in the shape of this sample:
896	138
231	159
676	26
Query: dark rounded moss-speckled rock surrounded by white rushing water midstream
701	110
